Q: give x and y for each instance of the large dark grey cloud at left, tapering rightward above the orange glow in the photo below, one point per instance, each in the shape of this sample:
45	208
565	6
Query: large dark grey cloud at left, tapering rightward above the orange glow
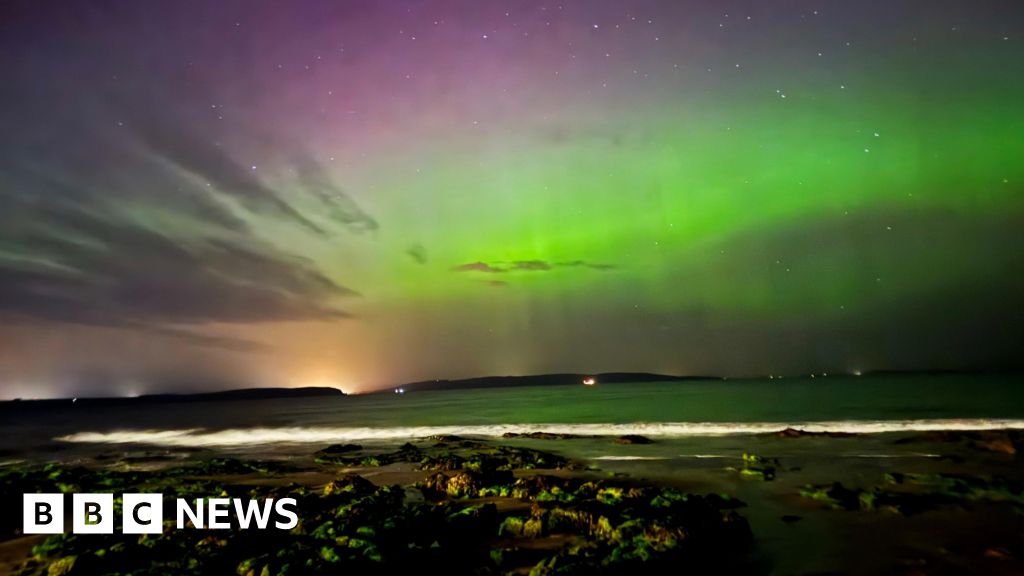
75	265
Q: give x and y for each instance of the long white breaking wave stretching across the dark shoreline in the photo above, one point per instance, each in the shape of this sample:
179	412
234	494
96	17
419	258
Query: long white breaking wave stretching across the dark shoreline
322	435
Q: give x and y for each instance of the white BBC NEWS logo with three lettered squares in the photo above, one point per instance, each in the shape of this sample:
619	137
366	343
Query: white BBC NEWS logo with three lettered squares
144	514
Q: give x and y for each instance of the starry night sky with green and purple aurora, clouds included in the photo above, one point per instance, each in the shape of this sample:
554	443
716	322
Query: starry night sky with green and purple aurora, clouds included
201	195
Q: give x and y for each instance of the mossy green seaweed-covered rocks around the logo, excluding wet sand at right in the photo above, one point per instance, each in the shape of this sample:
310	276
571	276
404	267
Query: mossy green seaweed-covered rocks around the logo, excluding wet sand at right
475	508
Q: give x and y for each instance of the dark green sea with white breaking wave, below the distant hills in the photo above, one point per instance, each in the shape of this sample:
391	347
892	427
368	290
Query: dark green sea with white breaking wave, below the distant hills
690	413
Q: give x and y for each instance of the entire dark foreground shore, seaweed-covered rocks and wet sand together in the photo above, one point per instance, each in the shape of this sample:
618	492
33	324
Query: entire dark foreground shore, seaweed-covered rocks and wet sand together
786	503
